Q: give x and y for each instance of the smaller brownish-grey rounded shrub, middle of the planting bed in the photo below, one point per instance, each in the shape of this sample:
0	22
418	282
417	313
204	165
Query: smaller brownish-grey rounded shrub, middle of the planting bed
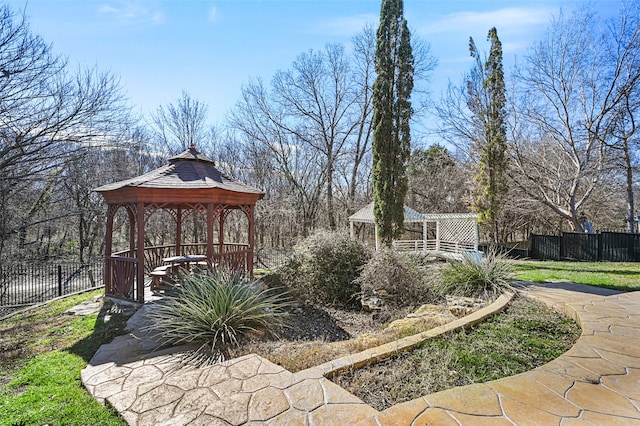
399	279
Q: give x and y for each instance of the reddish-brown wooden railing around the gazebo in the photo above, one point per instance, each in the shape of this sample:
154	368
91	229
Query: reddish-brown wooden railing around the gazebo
122	267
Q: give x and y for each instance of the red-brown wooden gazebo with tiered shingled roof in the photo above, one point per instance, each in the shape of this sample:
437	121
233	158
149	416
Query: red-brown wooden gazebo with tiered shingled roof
190	182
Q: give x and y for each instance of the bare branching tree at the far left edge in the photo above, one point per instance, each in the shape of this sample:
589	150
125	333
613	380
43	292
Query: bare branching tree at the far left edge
48	116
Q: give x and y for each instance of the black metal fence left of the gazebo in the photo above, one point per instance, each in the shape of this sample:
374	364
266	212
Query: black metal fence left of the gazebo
25	284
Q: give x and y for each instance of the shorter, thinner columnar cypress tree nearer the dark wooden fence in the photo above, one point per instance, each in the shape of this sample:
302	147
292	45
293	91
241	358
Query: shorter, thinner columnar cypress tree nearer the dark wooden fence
491	178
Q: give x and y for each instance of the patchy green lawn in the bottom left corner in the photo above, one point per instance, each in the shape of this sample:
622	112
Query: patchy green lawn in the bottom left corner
42	353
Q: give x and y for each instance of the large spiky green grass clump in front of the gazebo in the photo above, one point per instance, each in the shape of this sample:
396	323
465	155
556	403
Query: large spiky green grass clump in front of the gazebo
217	310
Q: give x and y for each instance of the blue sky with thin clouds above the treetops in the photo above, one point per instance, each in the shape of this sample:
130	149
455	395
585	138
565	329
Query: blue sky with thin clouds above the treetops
210	48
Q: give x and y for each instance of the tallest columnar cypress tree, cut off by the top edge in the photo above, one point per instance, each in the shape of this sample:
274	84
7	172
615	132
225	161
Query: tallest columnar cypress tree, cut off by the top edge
391	115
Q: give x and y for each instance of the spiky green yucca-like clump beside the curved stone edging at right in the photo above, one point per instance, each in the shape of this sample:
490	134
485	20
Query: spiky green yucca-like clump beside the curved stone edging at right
467	277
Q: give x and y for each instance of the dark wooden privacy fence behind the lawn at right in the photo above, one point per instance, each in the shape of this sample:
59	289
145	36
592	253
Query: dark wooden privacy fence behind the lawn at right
602	246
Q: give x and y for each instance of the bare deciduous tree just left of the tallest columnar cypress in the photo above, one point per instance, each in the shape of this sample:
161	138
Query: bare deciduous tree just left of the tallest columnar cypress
306	122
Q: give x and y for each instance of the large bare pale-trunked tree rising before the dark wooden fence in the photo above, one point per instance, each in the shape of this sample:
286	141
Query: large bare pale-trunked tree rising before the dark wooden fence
571	85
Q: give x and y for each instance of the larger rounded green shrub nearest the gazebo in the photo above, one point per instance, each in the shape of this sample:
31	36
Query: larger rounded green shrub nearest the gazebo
323	269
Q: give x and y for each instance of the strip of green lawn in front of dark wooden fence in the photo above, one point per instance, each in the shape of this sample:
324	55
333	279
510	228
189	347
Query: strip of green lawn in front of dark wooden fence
624	276
